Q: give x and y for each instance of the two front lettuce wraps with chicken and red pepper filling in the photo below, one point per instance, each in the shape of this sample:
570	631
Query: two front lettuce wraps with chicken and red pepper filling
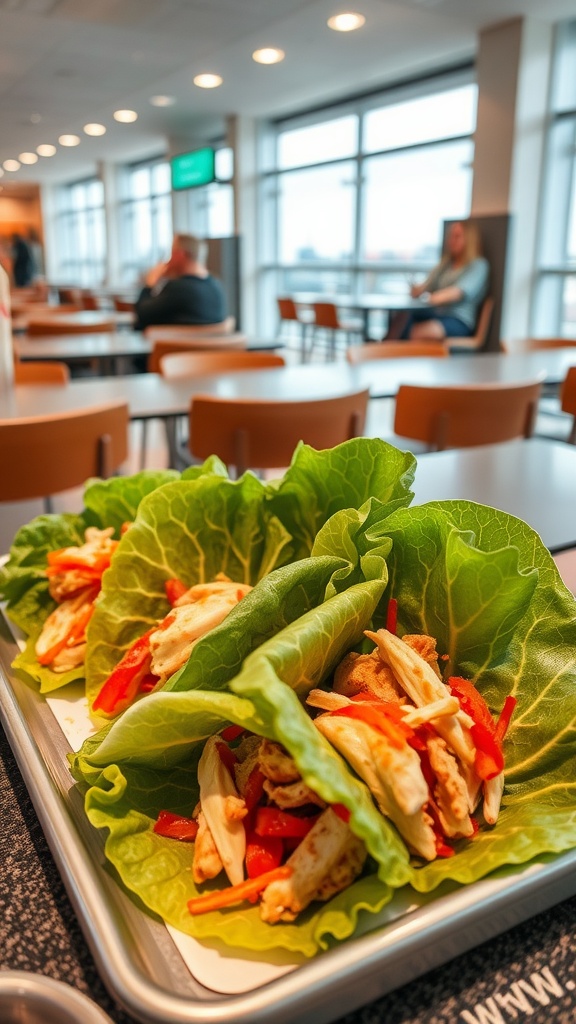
477	581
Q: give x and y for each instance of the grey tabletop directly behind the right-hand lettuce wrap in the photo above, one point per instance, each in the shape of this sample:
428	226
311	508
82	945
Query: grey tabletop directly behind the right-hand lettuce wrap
533	480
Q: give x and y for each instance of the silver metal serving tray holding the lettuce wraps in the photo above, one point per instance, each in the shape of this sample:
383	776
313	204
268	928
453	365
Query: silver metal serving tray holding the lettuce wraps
141	964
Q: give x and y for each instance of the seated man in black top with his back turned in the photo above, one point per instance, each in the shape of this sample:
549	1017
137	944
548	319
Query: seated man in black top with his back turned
181	291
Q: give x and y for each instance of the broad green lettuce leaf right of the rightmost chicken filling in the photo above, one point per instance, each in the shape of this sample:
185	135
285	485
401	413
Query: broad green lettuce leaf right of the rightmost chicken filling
483	583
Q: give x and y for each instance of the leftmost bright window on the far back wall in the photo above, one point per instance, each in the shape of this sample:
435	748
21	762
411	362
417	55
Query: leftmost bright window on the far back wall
81	234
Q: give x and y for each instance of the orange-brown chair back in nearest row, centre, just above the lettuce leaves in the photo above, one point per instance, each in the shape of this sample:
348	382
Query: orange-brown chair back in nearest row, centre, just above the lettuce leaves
263	435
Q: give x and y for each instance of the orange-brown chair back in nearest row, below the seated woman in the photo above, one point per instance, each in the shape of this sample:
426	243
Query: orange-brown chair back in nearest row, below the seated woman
466	416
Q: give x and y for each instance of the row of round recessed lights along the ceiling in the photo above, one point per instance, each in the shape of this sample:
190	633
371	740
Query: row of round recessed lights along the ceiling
348	22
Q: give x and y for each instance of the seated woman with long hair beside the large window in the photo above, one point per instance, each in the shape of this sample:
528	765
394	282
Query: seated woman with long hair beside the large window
455	291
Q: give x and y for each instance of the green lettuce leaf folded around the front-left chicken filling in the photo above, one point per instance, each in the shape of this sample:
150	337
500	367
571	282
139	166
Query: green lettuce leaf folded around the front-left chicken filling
145	762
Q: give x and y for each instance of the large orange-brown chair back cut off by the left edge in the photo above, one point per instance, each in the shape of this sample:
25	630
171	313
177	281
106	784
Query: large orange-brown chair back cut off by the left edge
42	456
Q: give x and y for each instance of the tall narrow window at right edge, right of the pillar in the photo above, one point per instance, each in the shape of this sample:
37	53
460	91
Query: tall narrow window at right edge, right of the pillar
555	307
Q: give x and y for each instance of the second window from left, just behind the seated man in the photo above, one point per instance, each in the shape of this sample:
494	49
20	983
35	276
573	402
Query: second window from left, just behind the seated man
146	219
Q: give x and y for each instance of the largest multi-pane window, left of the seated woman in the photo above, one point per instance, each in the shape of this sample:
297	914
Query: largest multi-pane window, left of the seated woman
355	200
